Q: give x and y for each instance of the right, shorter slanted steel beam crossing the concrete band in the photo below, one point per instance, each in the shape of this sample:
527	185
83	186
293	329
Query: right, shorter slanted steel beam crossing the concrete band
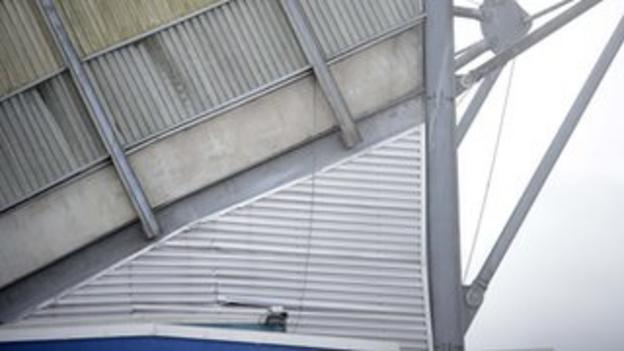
312	50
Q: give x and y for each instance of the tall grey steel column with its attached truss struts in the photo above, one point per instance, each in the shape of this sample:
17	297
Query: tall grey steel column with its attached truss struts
442	196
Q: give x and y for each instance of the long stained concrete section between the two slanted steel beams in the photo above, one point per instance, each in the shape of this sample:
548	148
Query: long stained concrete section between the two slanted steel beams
227	144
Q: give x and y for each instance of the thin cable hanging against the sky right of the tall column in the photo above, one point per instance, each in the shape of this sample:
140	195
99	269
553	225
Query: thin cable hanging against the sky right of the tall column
486	193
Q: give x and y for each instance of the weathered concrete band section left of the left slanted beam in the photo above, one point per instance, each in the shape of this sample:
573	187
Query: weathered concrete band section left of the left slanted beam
63	220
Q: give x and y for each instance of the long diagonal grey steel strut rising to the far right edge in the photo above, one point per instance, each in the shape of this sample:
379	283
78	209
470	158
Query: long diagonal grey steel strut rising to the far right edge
476	291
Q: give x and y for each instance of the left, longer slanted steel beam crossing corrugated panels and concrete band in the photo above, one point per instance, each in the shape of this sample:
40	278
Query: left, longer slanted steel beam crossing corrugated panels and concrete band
105	130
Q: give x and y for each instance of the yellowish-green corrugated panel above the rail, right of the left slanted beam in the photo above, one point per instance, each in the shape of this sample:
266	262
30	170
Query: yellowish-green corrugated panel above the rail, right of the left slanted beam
96	24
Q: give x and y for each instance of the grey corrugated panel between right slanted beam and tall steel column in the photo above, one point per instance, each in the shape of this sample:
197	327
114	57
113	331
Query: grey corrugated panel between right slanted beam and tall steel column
342	24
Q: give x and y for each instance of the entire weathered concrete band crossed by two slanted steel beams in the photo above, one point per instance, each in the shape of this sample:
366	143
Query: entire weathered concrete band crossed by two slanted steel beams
87	208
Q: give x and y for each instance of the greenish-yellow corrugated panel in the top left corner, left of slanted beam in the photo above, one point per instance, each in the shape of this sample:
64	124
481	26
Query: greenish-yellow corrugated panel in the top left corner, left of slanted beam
27	50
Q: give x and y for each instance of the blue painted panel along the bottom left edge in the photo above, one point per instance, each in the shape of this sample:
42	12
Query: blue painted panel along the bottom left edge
143	343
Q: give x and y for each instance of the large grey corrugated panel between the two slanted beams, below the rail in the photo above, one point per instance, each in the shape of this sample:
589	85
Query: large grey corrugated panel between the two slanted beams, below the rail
195	66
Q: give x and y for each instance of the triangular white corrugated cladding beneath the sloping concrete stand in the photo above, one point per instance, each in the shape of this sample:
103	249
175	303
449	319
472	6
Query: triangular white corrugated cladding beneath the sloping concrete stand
342	251
